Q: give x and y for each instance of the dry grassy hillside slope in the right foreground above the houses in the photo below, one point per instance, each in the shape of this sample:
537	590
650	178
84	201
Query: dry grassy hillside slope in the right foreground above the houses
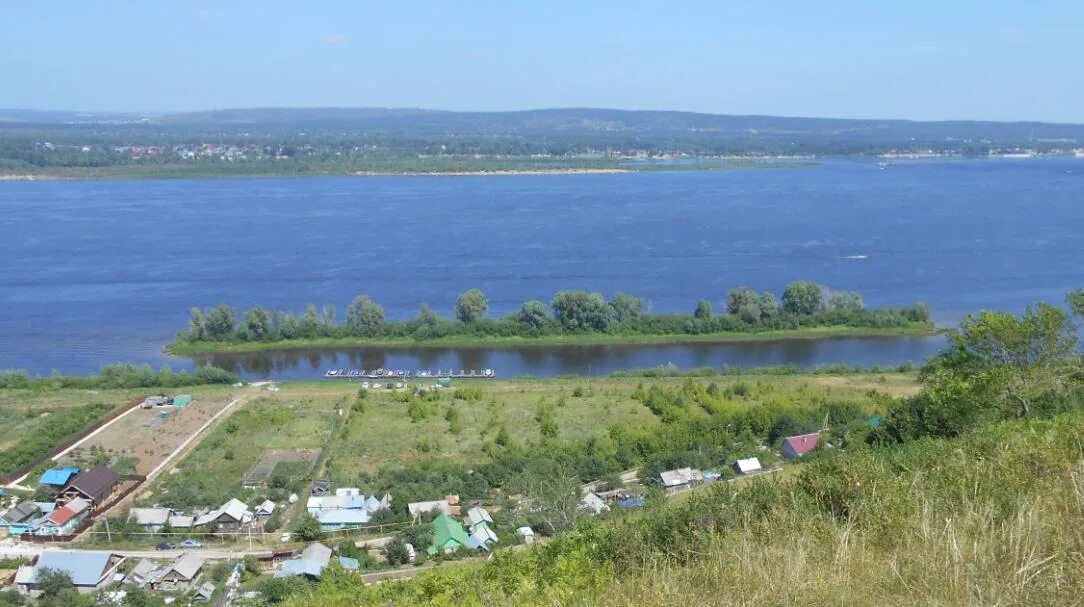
992	518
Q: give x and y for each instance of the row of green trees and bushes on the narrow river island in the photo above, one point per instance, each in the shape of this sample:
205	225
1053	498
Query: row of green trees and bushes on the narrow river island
571	313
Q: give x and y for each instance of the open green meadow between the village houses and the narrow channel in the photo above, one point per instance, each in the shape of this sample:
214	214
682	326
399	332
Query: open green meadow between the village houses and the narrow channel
384	433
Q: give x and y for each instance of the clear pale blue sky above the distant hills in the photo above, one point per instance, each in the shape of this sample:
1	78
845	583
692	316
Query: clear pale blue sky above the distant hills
918	59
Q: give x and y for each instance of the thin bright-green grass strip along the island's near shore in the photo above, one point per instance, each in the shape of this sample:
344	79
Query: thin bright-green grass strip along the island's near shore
193	348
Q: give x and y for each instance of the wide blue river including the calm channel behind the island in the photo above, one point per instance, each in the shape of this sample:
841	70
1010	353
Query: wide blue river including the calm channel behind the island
94	273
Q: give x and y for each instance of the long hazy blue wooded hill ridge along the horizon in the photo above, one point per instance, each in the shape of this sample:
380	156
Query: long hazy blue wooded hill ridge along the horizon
592	124
